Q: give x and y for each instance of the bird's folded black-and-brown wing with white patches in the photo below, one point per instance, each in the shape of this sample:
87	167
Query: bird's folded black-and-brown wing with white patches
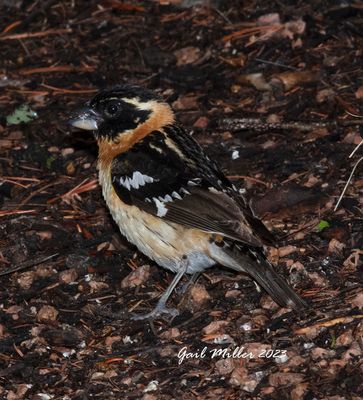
168	175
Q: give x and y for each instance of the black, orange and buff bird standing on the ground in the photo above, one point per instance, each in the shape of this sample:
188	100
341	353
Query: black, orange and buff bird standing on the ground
170	199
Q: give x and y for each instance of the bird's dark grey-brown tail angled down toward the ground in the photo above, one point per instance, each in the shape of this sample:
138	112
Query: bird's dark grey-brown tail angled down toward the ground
254	263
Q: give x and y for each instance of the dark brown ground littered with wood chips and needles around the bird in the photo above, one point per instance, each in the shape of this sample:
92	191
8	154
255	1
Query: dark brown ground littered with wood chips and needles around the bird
69	281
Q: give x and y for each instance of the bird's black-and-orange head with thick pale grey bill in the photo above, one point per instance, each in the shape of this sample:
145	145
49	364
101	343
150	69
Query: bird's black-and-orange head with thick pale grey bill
118	114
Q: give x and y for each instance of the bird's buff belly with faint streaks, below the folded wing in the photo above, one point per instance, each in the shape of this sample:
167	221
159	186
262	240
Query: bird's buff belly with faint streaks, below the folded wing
164	242
